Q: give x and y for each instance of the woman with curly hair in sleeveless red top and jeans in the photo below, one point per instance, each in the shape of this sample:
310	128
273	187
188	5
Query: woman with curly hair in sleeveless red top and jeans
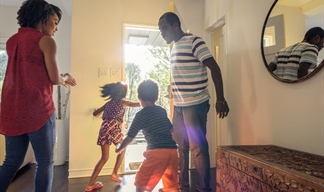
27	108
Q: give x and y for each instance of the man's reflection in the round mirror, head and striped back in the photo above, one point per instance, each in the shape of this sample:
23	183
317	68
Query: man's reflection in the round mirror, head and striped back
293	62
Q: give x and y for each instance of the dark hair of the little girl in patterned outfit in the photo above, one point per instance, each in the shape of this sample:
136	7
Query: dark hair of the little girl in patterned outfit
114	91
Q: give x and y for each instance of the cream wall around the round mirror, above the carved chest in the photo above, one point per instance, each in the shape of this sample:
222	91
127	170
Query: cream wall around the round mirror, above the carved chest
264	110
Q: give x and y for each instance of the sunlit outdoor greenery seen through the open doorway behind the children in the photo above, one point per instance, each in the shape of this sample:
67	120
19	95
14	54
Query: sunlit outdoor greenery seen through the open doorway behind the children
160	71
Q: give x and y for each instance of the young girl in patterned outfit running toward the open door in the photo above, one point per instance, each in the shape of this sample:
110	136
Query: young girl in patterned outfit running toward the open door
111	128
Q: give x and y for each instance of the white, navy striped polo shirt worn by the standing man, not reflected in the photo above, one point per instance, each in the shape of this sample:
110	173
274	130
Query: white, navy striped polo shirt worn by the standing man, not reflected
188	73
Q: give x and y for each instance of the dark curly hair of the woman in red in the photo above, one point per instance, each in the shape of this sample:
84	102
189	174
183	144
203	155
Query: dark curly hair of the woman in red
33	11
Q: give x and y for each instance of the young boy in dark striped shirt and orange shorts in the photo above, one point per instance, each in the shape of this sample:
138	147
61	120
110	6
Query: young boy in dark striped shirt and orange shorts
161	157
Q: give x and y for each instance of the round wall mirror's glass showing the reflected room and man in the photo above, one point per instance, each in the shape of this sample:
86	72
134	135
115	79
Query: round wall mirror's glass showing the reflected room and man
285	28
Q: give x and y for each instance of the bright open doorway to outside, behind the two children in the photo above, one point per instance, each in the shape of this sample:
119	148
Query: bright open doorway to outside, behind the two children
146	55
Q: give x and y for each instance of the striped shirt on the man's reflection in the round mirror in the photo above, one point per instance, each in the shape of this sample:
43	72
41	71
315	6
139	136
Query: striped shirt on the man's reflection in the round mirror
288	59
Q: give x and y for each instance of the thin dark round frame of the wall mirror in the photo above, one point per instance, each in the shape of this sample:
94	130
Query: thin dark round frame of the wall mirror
318	68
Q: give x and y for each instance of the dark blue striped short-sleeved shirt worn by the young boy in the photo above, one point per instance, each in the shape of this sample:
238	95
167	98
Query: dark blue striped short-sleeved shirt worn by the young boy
155	125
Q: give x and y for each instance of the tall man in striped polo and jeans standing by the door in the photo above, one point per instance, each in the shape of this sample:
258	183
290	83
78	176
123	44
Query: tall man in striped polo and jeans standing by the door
190	59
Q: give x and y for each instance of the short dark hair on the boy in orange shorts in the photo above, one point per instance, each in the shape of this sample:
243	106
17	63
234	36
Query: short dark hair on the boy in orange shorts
148	90
